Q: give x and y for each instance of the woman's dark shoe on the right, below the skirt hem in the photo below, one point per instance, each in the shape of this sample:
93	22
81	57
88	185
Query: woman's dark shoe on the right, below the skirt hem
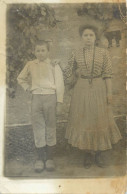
99	160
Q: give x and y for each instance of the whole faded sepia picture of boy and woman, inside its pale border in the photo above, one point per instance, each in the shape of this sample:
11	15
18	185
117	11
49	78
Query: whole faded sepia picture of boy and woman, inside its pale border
66	90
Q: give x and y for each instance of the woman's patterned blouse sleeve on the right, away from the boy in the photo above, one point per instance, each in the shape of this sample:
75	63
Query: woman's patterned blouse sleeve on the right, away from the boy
107	66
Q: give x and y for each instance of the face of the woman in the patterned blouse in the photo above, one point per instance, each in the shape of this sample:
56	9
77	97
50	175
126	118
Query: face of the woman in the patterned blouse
88	37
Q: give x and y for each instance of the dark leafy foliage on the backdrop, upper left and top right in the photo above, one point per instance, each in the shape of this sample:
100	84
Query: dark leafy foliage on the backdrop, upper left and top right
24	21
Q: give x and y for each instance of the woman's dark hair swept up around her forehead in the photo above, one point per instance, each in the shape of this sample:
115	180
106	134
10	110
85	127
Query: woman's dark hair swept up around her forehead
90	27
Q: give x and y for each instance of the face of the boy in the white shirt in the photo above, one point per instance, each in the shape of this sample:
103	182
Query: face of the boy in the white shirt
41	52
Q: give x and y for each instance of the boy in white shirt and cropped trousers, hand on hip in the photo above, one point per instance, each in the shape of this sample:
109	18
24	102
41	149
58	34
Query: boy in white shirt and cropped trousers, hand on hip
47	88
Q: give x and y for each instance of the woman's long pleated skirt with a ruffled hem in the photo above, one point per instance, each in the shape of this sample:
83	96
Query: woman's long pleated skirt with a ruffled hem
91	125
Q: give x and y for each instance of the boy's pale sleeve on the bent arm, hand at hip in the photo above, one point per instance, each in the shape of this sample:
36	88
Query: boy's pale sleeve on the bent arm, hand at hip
23	78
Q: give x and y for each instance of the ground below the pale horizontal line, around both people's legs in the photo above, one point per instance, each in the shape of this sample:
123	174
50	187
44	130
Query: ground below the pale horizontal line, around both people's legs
20	156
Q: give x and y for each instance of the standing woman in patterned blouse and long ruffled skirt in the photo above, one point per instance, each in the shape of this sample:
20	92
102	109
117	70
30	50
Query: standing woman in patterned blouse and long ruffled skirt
91	126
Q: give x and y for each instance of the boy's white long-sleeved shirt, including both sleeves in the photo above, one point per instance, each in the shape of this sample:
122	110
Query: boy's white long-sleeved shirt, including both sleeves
46	78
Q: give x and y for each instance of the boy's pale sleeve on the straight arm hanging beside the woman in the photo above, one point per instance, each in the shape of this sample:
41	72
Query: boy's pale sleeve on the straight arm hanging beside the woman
59	82
